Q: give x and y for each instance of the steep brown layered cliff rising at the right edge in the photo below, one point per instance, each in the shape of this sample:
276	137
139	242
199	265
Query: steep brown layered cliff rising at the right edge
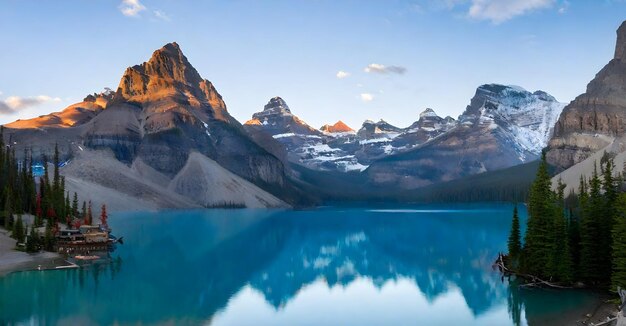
595	118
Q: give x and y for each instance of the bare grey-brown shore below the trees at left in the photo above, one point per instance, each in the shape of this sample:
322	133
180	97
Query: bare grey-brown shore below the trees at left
12	260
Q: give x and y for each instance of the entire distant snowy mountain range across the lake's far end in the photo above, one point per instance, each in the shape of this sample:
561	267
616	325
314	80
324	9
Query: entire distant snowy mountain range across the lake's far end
503	126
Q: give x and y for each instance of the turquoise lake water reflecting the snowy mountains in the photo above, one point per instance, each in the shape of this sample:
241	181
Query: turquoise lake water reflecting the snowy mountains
417	265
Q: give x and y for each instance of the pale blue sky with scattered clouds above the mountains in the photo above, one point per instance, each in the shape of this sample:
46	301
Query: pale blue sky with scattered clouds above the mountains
330	60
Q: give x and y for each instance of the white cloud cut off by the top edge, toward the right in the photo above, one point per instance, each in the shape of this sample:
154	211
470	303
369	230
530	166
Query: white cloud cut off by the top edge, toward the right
499	11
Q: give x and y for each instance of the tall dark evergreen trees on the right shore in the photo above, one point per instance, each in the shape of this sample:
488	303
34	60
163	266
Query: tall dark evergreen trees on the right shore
578	238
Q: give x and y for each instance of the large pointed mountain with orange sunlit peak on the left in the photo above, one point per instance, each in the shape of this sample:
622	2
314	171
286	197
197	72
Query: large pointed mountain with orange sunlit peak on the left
162	112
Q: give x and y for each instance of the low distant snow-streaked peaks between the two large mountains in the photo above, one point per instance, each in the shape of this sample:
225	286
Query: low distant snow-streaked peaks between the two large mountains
338	147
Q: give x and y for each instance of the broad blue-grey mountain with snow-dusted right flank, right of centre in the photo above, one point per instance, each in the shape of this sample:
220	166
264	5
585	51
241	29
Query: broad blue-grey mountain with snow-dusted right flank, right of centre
503	126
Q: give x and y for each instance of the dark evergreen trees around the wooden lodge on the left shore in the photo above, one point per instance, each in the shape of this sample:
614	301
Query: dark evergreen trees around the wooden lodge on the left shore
45	197
